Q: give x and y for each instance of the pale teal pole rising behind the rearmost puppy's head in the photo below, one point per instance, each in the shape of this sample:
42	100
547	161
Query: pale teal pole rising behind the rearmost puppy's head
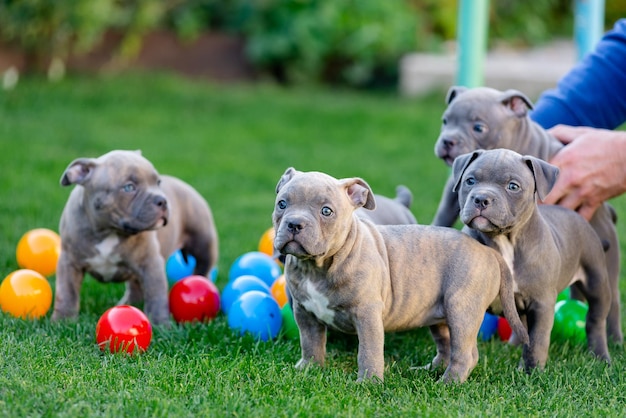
472	42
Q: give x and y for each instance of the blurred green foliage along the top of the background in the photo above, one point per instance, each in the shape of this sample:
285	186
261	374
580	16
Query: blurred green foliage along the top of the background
347	42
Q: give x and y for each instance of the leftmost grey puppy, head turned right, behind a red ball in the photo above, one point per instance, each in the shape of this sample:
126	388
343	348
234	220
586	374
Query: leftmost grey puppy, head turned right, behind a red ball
120	223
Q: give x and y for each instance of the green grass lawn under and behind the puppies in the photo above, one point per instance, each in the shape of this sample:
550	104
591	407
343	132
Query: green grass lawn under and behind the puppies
233	143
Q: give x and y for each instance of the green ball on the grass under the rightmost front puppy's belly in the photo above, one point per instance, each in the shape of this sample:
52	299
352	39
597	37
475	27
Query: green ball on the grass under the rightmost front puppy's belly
569	321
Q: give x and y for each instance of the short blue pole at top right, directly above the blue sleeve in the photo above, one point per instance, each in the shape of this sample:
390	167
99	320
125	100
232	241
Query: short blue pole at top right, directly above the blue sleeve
588	25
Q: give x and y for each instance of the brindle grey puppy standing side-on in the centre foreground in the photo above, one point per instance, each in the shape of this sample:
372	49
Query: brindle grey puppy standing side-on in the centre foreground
346	273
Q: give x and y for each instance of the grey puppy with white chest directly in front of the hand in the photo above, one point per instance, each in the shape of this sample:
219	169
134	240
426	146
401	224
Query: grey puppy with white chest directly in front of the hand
547	247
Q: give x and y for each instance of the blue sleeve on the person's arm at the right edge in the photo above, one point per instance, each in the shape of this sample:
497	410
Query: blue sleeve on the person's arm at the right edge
593	93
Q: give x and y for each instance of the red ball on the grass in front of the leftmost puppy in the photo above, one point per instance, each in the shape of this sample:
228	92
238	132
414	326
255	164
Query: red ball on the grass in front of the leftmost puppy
123	328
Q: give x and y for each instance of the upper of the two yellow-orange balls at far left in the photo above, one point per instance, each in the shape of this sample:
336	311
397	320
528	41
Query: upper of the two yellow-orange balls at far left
39	250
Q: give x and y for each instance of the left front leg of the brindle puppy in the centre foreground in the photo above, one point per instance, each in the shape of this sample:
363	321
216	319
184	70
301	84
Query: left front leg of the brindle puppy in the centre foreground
312	337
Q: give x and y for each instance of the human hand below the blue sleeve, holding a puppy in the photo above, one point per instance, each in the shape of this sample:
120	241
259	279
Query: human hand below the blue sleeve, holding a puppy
592	168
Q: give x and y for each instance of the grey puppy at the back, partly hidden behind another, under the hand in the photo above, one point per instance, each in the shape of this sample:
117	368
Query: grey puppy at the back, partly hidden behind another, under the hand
485	118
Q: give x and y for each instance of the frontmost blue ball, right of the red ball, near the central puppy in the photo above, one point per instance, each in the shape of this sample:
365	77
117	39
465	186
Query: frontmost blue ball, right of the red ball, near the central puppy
257	313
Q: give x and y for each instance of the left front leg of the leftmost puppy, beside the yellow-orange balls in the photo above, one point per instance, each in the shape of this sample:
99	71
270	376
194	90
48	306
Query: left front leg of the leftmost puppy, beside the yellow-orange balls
69	280
